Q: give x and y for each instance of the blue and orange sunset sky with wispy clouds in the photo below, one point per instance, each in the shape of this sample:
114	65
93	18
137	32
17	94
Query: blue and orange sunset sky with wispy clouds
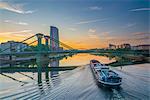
82	23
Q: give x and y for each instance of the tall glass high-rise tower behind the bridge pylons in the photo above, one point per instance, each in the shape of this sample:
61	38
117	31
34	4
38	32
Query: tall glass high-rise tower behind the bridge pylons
54	42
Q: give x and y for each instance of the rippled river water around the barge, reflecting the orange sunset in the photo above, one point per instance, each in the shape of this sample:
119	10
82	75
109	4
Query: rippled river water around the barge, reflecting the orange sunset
77	84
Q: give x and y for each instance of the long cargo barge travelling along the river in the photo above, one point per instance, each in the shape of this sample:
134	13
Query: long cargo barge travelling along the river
104	75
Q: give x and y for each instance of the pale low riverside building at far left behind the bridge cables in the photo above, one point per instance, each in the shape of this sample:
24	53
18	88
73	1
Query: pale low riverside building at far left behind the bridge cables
13	46
